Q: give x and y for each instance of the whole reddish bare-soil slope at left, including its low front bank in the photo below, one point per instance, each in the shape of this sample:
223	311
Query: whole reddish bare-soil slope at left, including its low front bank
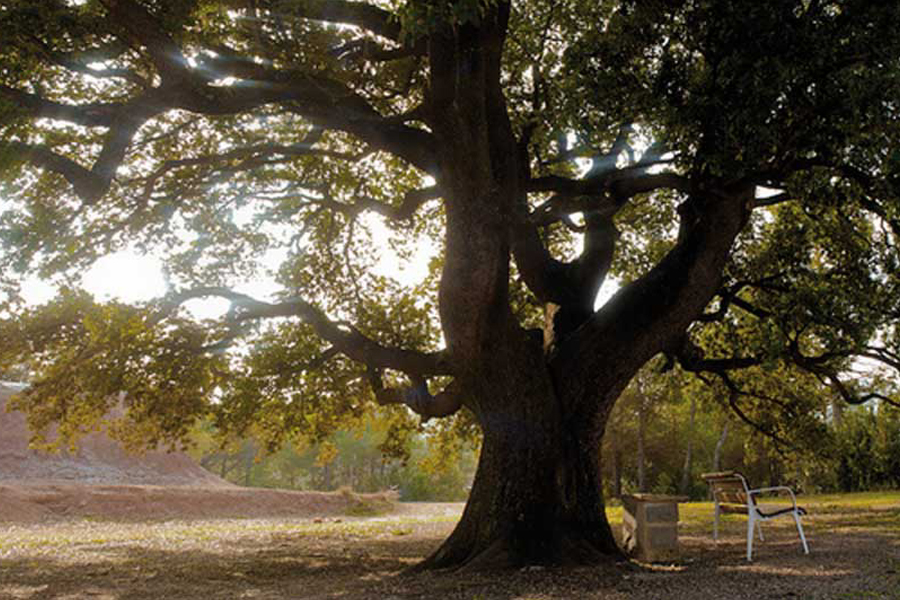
103	481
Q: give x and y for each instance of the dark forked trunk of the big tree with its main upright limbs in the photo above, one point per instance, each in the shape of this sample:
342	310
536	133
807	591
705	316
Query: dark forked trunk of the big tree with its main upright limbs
537	495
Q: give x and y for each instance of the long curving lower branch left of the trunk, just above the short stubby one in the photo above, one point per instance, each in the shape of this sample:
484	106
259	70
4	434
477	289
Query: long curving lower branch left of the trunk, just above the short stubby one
344	338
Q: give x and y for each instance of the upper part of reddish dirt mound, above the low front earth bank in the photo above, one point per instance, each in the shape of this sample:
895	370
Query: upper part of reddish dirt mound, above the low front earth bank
98	459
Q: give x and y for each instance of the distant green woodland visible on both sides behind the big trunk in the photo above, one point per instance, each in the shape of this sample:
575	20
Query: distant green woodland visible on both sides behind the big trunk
662	436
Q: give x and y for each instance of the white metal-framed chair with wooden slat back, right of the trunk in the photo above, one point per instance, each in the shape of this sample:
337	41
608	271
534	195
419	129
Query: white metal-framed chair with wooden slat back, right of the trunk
732	495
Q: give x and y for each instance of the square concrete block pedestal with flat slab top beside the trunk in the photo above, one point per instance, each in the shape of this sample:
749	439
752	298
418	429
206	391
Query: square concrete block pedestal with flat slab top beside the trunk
650	526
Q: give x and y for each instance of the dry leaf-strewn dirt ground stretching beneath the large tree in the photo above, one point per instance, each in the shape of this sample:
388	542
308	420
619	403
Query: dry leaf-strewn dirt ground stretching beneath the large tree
326	554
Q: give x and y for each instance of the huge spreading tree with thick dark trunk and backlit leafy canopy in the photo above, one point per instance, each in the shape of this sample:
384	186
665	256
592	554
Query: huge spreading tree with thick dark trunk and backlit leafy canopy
543	146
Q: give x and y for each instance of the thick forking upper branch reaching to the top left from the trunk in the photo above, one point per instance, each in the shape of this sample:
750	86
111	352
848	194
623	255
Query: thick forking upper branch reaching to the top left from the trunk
327	102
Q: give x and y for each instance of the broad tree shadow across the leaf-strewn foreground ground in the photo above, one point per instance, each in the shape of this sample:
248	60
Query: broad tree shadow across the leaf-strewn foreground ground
846	561
